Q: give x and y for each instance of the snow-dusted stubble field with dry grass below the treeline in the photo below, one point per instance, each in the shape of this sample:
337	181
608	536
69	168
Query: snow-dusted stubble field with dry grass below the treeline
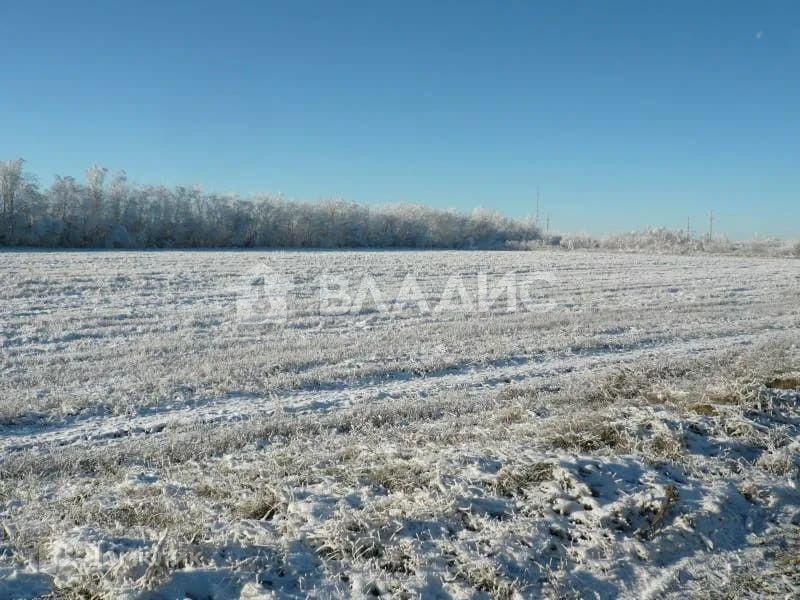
633	431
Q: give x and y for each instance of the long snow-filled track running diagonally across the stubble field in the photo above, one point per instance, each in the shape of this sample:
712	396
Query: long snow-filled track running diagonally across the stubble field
100	430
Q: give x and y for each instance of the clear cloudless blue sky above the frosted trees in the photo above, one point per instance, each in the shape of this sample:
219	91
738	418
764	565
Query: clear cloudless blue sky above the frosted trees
625	114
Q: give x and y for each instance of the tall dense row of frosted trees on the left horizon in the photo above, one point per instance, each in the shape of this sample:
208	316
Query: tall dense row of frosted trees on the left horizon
108	211
